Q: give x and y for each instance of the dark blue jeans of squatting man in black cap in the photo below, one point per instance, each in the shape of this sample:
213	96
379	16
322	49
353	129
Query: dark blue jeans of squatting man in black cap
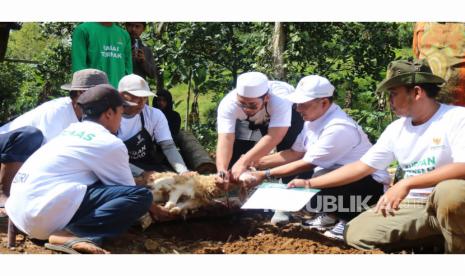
109	210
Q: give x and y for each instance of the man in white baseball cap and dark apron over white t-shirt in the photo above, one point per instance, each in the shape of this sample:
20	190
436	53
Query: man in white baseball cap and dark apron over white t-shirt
144	127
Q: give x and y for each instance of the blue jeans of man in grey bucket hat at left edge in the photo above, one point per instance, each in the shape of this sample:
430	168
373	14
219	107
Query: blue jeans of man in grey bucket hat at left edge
19	144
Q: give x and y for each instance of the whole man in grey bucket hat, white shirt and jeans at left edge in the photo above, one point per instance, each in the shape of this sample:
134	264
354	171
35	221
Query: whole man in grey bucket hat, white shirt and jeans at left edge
42	124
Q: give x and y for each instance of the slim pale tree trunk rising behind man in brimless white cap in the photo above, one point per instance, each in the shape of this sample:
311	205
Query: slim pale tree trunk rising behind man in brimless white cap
279	43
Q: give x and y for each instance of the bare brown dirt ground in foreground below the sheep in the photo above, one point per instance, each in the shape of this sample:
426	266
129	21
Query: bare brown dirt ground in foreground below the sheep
238	233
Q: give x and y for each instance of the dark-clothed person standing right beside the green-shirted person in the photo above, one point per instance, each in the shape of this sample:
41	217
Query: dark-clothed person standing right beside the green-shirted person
143	63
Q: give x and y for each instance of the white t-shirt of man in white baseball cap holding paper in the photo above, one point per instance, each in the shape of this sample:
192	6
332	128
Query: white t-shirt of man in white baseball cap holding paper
334	140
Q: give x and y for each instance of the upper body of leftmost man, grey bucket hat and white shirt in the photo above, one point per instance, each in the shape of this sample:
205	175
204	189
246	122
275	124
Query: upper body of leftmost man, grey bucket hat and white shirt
53	116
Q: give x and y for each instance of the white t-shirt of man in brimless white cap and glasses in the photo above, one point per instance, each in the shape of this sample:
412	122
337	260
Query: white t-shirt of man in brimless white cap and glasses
279	109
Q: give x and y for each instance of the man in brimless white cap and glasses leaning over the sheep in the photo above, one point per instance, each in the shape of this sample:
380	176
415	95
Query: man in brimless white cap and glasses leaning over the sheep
253	118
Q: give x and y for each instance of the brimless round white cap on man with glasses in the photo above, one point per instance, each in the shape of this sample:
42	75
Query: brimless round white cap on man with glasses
252	85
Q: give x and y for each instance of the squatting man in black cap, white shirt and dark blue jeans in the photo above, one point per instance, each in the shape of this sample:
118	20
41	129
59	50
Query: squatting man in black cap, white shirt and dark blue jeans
78	189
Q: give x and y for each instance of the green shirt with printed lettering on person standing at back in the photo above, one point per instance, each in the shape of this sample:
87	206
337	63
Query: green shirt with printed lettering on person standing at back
104	48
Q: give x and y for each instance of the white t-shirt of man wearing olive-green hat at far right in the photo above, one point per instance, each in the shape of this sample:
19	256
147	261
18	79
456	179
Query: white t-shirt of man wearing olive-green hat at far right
423	148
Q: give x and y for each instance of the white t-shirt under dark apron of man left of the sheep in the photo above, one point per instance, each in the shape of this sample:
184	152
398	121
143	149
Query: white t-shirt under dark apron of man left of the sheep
155	123
